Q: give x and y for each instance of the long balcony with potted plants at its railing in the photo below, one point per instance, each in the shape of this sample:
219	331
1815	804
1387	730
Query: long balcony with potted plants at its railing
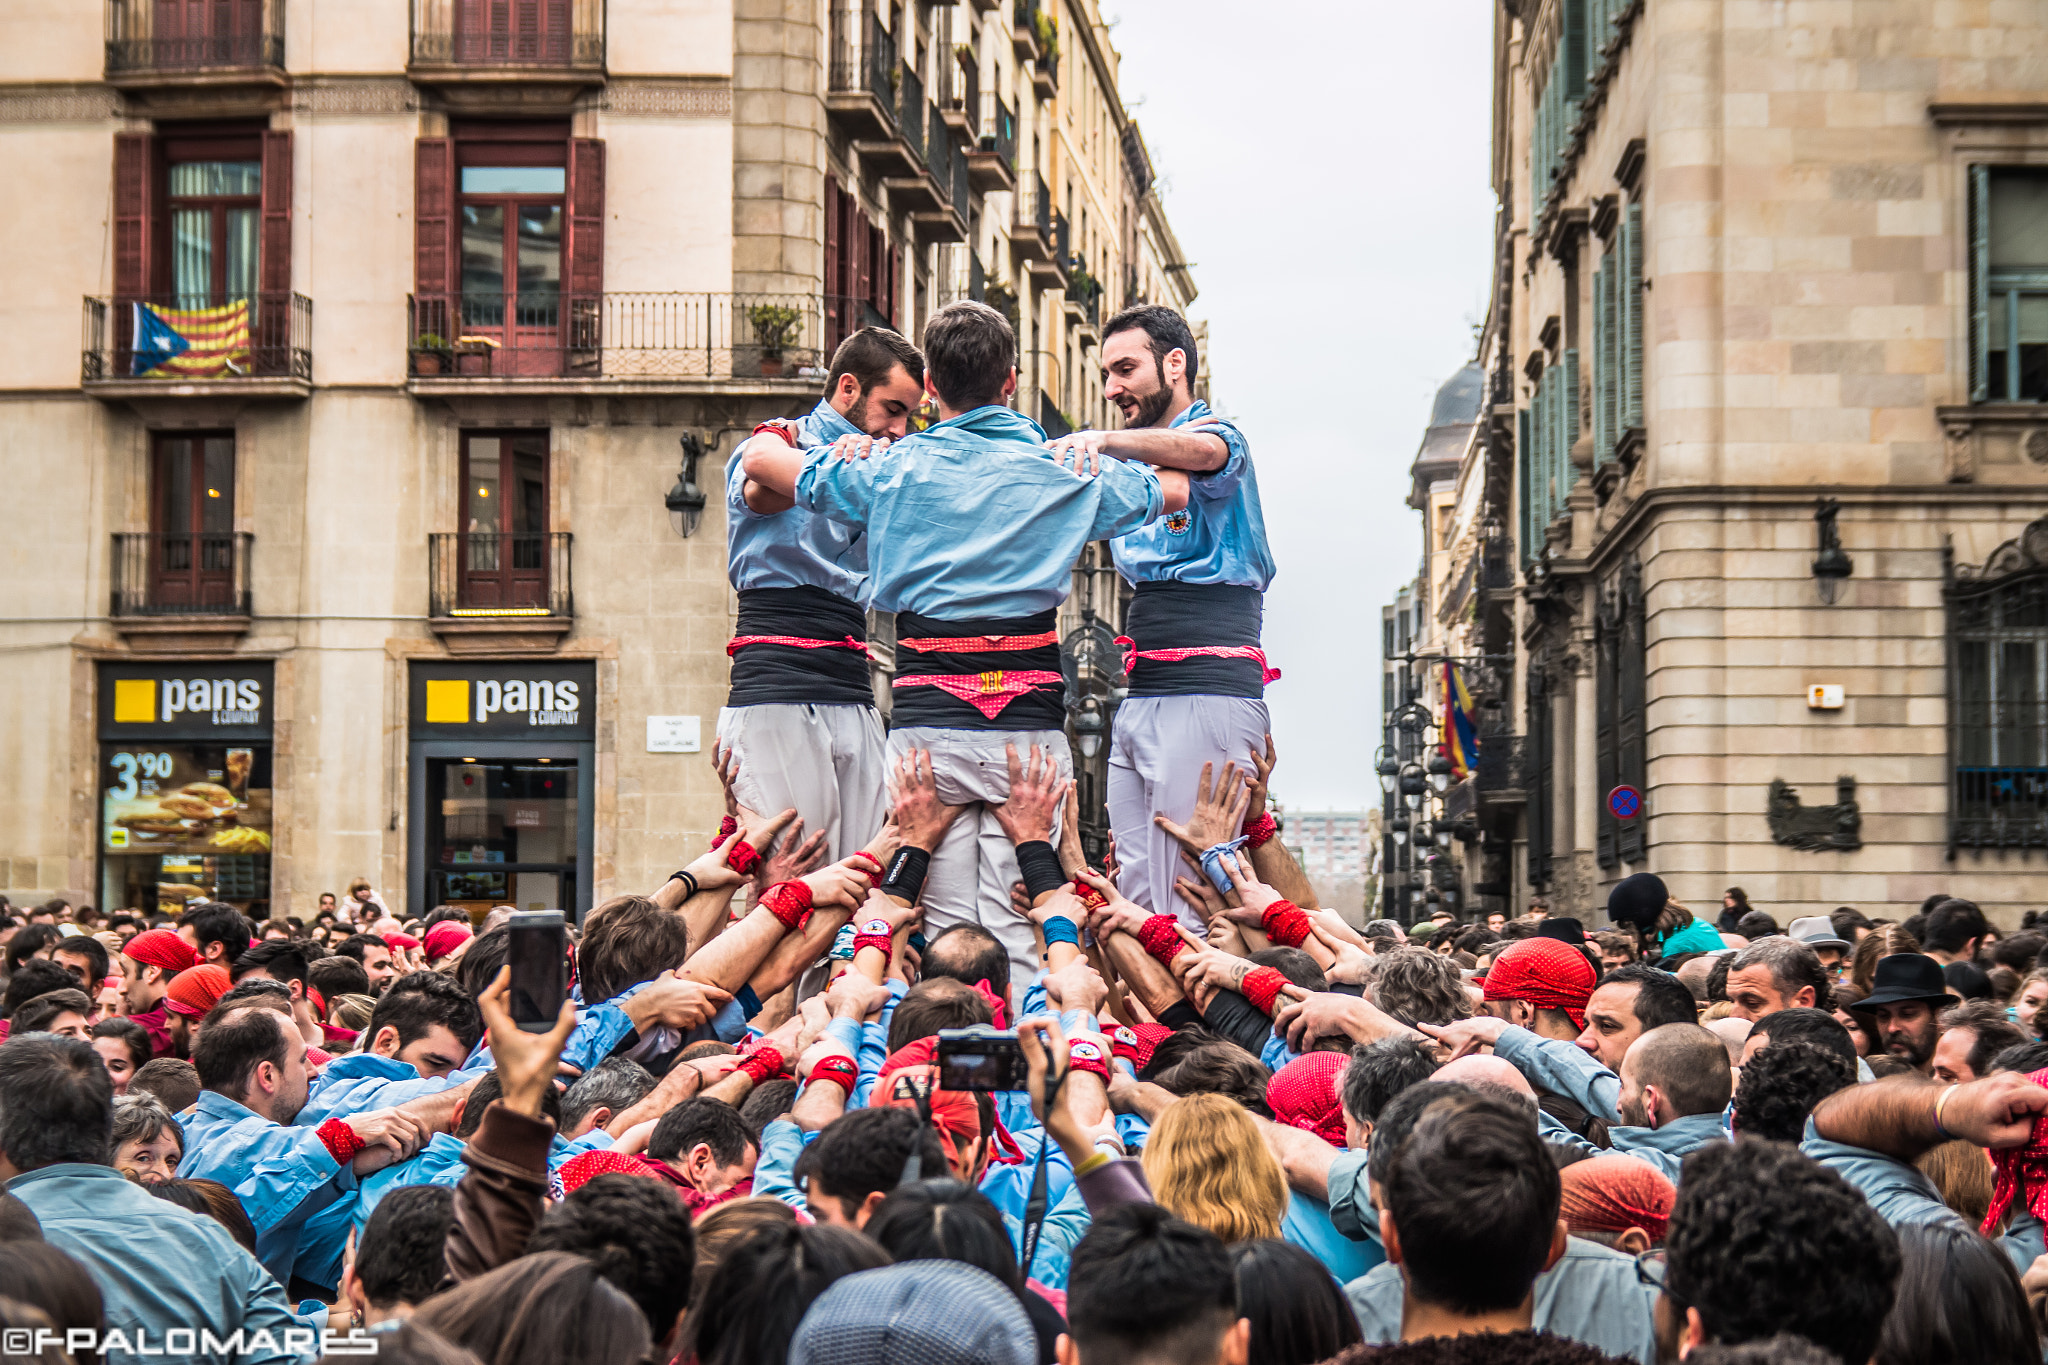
615	343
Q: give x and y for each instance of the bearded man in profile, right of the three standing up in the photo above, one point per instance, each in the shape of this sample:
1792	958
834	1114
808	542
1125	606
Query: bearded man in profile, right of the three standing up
1197	670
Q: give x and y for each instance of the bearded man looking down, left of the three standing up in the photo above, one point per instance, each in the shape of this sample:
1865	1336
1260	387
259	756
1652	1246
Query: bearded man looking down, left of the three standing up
802	713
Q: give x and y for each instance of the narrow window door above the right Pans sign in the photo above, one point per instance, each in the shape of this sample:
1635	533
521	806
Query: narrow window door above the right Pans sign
505	554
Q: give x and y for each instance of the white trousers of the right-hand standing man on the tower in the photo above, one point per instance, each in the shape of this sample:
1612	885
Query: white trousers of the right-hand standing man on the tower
1158	748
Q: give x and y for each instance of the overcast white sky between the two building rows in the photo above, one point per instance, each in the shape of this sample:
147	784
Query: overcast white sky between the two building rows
1326	171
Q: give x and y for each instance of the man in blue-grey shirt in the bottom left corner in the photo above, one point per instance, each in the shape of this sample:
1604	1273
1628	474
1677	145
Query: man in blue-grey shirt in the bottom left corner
159	1268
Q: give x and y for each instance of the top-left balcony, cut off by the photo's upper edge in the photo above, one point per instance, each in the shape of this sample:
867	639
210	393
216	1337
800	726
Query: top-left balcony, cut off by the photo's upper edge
196	44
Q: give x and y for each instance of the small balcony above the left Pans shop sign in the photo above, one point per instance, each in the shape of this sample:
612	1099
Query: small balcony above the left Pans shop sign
187	590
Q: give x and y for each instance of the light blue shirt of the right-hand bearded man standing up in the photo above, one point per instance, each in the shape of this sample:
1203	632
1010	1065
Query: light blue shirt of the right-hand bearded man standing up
1222	533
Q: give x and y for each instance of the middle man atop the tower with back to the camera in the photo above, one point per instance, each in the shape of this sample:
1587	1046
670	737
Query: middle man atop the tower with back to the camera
972	541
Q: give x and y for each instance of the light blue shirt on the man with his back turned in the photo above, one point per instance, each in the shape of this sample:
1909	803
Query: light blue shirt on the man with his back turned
972	519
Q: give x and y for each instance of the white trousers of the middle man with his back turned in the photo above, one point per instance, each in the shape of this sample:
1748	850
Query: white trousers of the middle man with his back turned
976	863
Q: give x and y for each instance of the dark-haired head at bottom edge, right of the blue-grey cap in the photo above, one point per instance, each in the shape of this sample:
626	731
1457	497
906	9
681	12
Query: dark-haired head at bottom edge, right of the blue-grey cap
1146	1284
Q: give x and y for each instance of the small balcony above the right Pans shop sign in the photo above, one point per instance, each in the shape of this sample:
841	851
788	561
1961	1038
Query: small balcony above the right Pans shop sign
499	590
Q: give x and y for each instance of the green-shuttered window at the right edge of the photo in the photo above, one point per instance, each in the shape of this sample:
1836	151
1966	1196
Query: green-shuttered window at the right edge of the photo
2008	285
